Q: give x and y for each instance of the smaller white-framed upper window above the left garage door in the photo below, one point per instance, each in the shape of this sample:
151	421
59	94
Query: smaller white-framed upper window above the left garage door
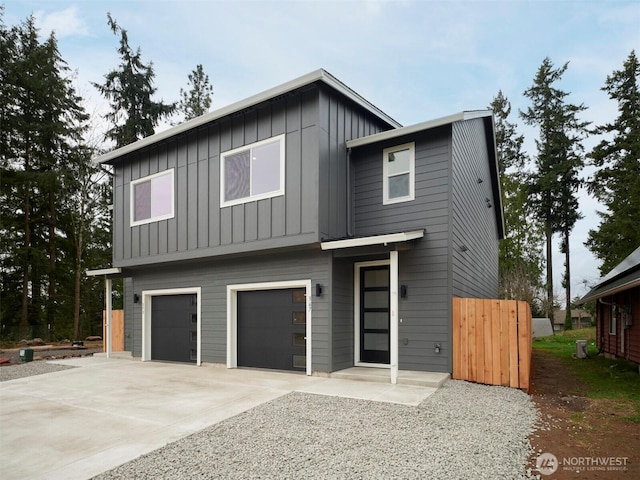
152	198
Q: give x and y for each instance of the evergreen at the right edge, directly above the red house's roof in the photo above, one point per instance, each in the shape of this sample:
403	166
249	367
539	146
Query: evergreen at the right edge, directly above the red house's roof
617	181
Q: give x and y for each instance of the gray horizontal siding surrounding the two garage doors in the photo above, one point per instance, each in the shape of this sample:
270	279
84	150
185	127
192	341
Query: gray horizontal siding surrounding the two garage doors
213	278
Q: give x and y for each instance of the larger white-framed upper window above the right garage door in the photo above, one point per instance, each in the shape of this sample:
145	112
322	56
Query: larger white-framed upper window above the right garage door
253	172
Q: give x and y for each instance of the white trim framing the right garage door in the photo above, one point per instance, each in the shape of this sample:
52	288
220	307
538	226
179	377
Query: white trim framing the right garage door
232	315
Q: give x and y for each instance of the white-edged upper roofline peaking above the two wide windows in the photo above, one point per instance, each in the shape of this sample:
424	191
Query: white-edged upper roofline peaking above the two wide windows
319	75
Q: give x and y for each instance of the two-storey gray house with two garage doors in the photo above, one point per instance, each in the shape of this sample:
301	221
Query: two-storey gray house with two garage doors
304	229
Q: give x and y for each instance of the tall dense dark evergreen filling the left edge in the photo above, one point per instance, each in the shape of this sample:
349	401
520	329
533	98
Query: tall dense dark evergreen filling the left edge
42	125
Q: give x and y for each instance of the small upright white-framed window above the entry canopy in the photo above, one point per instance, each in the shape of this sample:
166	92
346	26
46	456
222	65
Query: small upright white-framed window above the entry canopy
399	175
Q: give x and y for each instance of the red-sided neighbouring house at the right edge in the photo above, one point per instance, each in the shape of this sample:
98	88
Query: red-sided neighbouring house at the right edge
617	297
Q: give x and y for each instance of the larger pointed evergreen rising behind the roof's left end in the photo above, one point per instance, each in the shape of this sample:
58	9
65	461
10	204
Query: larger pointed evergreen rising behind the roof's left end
129	90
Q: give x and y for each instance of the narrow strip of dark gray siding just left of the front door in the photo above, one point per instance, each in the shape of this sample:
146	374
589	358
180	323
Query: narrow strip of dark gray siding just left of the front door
342	320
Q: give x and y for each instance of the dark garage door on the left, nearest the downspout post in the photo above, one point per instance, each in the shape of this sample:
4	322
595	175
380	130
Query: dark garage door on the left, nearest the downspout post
174	334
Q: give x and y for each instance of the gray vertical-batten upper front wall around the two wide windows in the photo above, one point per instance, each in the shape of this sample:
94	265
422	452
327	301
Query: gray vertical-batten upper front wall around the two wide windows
200	227
